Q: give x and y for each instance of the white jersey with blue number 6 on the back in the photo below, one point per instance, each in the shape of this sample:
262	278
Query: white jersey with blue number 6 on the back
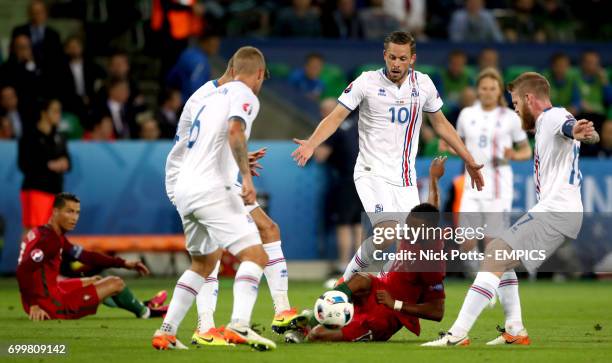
208	162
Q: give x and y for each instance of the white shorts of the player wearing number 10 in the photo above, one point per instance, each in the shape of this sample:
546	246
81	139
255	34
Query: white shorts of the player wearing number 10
378	196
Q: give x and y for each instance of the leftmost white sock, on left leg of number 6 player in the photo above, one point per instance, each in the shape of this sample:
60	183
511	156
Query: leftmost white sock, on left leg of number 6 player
185	291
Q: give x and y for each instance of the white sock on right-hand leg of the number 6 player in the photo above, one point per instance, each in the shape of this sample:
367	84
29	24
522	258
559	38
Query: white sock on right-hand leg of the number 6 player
246	284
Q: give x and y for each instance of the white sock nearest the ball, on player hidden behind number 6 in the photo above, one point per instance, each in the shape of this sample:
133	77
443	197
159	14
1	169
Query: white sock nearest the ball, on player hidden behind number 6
277	276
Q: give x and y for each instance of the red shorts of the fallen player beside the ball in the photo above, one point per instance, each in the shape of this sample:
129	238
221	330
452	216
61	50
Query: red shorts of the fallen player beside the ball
371	320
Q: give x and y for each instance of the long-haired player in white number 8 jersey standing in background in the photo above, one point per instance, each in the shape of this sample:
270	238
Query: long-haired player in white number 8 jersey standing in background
490	130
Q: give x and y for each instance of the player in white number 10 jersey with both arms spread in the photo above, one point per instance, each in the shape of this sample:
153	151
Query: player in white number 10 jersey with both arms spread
391	103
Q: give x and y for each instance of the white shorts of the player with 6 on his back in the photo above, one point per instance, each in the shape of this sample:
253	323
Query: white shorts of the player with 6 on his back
217	220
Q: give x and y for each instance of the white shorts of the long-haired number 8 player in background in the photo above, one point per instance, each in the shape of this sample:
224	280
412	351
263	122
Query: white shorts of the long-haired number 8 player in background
492	214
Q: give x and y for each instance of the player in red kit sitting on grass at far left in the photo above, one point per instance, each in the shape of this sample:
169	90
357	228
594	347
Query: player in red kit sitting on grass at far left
44	297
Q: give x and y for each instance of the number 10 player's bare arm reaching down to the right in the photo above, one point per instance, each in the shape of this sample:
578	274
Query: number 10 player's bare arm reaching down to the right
448	133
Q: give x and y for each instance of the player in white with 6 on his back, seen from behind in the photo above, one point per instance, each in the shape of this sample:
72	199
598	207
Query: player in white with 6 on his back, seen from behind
213	215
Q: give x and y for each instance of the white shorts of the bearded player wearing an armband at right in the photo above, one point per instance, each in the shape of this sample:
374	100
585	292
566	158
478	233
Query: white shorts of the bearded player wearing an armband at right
536	234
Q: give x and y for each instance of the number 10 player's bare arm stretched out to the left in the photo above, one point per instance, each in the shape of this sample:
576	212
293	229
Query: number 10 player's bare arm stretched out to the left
326	128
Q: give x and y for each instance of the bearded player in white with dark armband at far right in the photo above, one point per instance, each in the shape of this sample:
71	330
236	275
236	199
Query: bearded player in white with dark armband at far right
555	218
